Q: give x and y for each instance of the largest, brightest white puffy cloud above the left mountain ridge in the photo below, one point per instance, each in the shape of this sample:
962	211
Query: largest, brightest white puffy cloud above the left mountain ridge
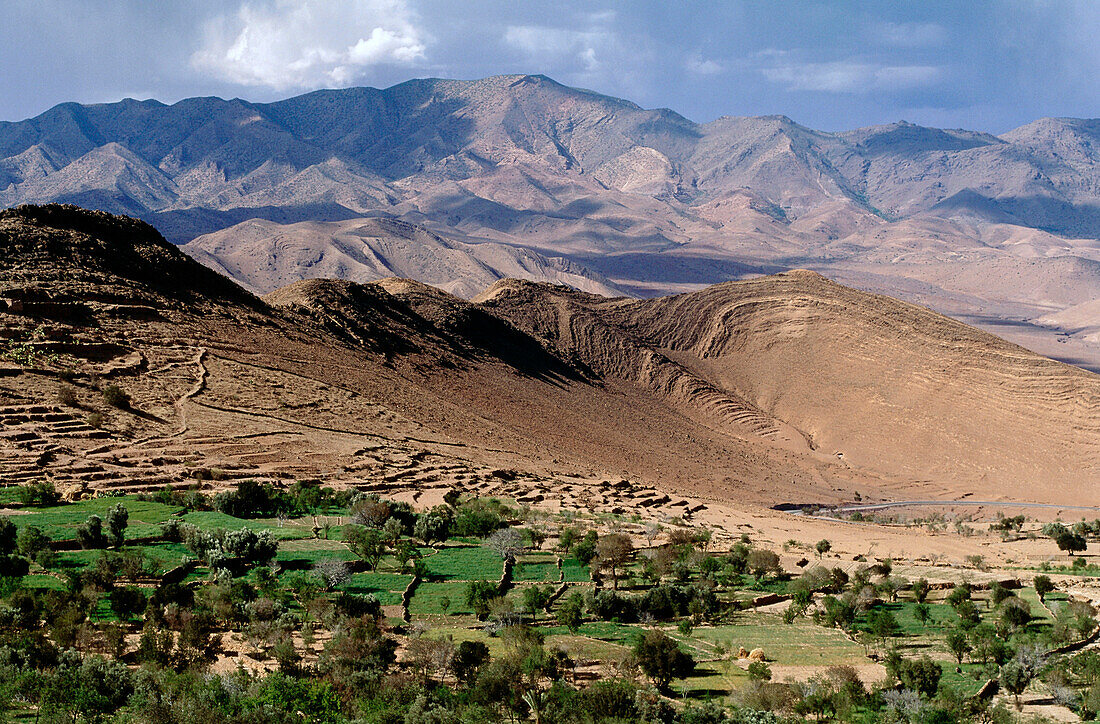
284	45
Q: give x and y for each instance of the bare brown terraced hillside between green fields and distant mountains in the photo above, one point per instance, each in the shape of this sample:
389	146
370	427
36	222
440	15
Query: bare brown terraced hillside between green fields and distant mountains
784	389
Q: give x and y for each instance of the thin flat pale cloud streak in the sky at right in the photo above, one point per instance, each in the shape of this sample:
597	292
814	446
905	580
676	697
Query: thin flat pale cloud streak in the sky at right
852	76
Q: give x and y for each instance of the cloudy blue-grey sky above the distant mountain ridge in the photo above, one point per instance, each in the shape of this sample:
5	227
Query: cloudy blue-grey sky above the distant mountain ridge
831	65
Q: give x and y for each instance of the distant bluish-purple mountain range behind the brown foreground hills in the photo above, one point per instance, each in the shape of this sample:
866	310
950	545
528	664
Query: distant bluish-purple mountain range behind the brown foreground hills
603	195
